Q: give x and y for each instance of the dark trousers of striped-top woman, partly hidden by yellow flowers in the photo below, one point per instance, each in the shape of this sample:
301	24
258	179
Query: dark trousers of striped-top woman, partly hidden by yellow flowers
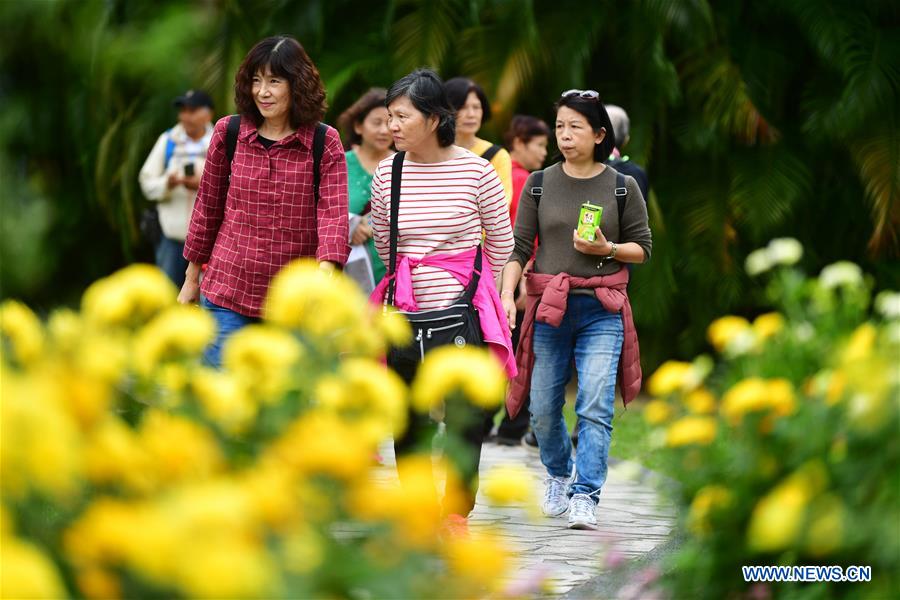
465	431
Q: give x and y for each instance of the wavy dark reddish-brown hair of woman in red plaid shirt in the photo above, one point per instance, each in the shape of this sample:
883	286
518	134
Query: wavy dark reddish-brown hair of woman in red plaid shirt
285	57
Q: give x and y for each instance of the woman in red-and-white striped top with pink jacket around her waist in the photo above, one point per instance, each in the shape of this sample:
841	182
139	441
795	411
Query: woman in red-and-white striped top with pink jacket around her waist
447	197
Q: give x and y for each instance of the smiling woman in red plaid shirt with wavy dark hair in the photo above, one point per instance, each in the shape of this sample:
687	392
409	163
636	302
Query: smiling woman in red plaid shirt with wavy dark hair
246	230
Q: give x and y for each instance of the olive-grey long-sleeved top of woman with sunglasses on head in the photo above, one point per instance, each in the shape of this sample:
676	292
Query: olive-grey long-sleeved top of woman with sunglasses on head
557	216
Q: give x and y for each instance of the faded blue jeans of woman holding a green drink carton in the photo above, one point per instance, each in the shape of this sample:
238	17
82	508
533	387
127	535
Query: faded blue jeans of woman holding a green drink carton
593	337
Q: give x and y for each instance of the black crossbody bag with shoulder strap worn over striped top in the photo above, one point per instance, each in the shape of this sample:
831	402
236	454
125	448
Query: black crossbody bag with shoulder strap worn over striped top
457	324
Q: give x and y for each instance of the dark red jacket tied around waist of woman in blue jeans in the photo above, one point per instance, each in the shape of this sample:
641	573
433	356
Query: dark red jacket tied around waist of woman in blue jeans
547	301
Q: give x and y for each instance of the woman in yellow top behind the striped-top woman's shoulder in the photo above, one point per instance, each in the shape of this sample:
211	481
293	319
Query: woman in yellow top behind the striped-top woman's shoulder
473	109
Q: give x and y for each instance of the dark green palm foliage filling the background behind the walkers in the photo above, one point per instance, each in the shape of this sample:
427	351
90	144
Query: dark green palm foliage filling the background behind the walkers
753	119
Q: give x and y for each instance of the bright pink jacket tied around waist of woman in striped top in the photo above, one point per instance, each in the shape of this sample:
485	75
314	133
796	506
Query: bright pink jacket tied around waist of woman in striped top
491	315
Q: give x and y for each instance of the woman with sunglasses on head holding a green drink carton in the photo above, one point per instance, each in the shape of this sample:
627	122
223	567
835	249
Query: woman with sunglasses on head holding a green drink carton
577	304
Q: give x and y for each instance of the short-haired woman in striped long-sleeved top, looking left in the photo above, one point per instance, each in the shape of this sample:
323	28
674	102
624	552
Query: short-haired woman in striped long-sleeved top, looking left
449	199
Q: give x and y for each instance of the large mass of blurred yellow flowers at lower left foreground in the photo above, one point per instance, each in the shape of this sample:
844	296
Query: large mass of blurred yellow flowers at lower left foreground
131	470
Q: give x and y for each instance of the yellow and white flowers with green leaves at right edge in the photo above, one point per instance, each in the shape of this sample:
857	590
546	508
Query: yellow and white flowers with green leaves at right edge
786	443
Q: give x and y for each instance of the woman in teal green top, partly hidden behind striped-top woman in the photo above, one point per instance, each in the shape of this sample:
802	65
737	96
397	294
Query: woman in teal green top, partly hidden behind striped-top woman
367	140
